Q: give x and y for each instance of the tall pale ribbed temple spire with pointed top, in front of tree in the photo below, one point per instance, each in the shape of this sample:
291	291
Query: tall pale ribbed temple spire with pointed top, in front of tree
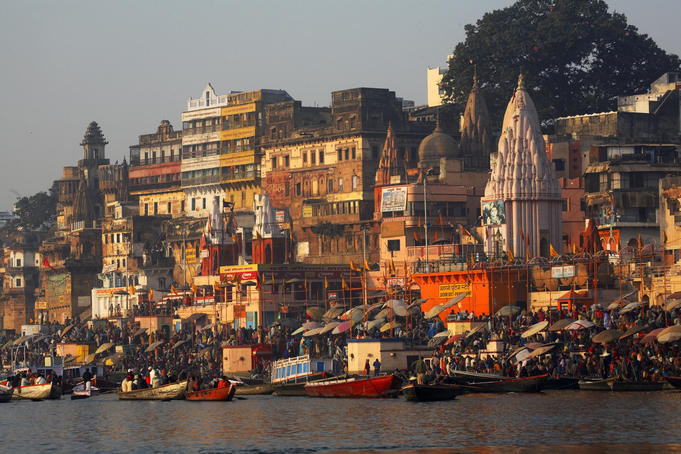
524	181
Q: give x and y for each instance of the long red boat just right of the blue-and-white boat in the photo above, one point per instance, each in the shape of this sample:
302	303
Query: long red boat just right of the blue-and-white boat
354	386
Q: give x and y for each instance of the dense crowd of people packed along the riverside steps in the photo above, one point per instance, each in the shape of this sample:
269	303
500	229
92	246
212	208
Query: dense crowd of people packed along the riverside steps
197	354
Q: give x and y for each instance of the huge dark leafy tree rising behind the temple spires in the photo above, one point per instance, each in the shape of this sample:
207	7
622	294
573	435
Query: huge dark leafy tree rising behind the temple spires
575	55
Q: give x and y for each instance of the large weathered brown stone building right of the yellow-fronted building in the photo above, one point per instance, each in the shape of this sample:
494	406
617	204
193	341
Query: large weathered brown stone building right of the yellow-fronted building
322	169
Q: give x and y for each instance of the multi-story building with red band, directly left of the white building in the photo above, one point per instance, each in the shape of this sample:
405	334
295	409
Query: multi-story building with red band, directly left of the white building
155	172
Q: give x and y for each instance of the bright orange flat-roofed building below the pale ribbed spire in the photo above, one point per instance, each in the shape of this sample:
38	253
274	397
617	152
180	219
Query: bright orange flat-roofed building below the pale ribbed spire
488	290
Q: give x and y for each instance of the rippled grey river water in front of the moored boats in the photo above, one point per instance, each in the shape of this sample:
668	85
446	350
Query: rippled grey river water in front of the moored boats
551	422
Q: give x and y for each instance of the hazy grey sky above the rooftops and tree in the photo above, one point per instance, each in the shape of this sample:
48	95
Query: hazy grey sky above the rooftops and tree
130	64
